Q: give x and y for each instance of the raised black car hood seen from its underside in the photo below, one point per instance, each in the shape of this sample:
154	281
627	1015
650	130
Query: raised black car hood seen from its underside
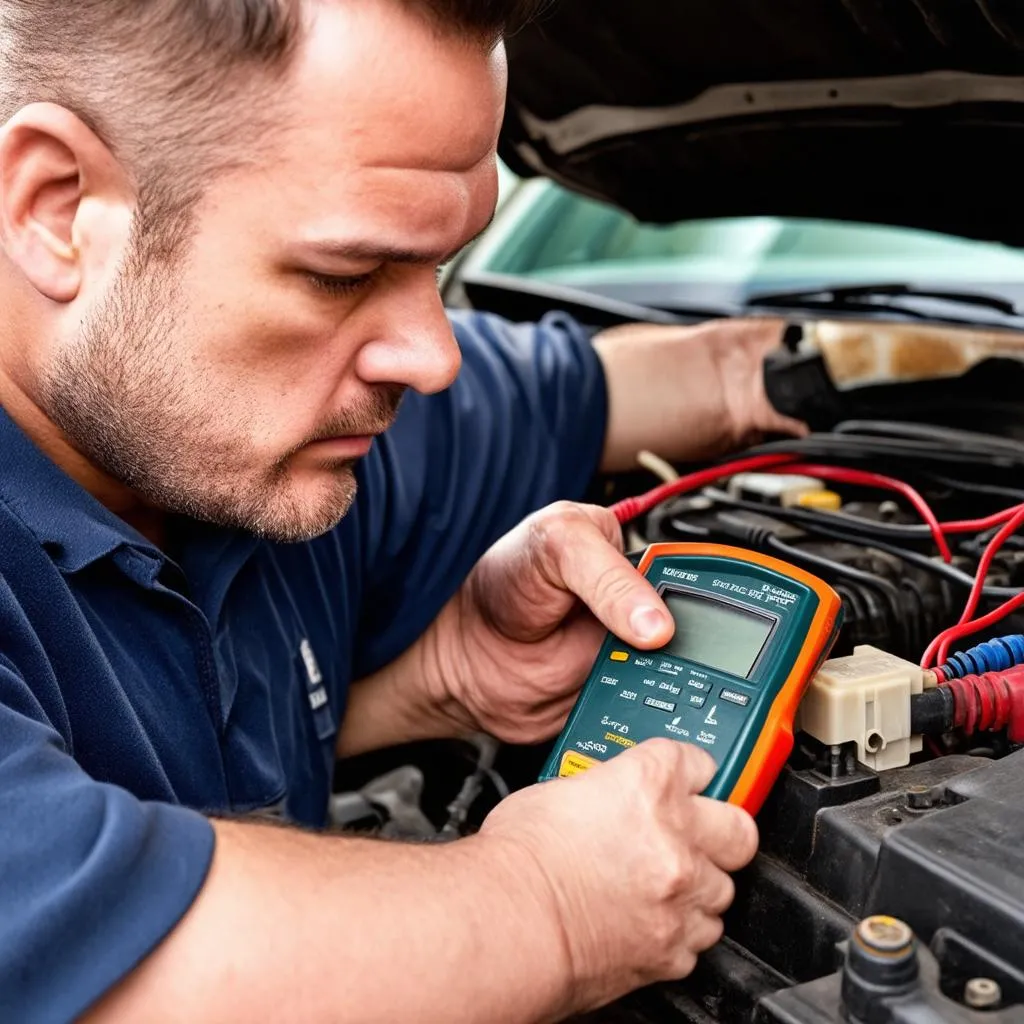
901	112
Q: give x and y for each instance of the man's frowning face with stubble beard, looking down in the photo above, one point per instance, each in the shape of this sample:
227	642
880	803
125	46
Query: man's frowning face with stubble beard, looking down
241	383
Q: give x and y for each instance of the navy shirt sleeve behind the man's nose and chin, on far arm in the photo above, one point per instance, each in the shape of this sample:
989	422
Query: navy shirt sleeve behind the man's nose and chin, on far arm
522	428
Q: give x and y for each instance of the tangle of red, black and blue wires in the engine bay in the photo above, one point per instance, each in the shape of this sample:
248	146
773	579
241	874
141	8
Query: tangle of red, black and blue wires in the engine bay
982	689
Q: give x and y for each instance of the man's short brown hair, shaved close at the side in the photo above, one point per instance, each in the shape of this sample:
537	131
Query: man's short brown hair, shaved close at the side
155	78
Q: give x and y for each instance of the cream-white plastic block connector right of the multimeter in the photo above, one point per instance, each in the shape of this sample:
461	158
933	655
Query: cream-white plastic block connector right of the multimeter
865	699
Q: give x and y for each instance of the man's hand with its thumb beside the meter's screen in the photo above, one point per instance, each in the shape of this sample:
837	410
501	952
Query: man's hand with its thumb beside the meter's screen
510	653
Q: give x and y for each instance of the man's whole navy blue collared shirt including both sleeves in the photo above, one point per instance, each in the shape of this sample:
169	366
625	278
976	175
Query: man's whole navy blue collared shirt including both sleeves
140	693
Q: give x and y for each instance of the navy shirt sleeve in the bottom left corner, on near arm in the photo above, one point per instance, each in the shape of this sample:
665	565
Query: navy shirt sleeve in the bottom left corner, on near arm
94	879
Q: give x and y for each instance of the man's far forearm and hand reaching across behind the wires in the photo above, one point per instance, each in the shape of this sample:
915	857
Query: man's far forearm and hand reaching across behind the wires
689	393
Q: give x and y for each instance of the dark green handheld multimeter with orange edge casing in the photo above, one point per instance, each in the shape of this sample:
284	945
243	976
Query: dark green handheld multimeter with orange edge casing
751	633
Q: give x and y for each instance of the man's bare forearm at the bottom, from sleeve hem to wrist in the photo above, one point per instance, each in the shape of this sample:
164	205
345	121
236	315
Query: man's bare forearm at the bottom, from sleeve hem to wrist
291	926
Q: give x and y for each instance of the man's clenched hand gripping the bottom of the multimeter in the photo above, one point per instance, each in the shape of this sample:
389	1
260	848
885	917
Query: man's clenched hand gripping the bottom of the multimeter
634	865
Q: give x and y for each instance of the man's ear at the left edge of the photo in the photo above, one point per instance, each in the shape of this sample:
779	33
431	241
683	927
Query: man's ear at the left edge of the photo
53	169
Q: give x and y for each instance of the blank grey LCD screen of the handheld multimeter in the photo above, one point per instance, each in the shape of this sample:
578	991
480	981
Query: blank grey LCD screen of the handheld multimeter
718	635
